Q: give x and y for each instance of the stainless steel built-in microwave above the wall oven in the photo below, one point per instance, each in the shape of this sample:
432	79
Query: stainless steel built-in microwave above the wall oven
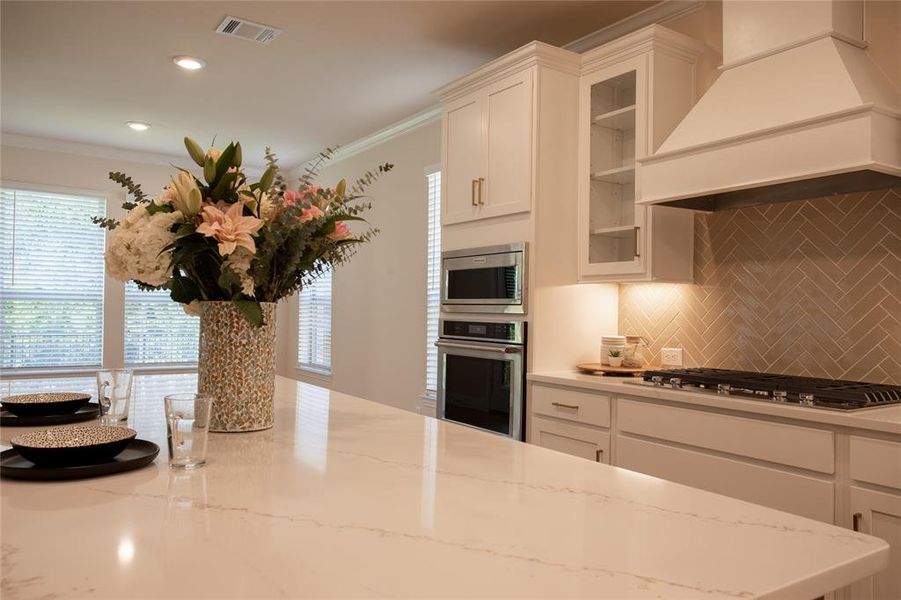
485	280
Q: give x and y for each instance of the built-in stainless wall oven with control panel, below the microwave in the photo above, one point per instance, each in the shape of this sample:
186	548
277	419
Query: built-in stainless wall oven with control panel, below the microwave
481	371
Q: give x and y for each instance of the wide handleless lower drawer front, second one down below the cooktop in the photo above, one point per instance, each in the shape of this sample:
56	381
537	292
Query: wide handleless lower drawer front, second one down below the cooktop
798	494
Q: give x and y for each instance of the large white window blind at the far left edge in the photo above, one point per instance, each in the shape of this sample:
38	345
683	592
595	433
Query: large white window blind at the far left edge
51	280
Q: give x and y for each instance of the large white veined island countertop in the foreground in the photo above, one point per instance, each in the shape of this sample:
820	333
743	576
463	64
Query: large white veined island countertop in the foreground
351	498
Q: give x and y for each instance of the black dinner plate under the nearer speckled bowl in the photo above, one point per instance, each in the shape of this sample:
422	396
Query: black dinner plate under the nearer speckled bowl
139	453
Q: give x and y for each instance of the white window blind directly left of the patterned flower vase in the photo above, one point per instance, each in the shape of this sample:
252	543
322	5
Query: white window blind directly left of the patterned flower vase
157	330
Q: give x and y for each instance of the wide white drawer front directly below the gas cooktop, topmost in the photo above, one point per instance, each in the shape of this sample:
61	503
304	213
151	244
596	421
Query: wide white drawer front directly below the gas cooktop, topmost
801	447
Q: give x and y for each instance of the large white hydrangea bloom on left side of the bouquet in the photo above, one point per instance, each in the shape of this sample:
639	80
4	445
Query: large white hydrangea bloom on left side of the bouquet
133	252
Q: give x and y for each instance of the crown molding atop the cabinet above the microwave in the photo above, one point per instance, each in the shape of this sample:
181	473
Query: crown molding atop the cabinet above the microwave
533	53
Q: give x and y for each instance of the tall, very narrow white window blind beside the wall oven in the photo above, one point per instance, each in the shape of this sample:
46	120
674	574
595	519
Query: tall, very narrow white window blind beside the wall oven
433	284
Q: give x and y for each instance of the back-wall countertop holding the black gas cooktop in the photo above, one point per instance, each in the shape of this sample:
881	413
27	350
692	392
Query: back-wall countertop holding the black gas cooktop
887	419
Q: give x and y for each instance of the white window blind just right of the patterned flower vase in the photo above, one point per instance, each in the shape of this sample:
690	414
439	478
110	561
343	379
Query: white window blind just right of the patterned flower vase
314	332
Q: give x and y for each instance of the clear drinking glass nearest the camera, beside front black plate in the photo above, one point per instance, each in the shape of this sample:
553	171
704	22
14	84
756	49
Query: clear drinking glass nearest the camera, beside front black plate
187	423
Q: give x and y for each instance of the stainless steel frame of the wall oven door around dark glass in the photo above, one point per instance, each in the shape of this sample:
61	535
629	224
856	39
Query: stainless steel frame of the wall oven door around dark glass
490	351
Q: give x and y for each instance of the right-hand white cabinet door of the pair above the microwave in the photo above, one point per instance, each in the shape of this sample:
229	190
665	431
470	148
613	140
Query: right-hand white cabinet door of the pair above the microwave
507	175
